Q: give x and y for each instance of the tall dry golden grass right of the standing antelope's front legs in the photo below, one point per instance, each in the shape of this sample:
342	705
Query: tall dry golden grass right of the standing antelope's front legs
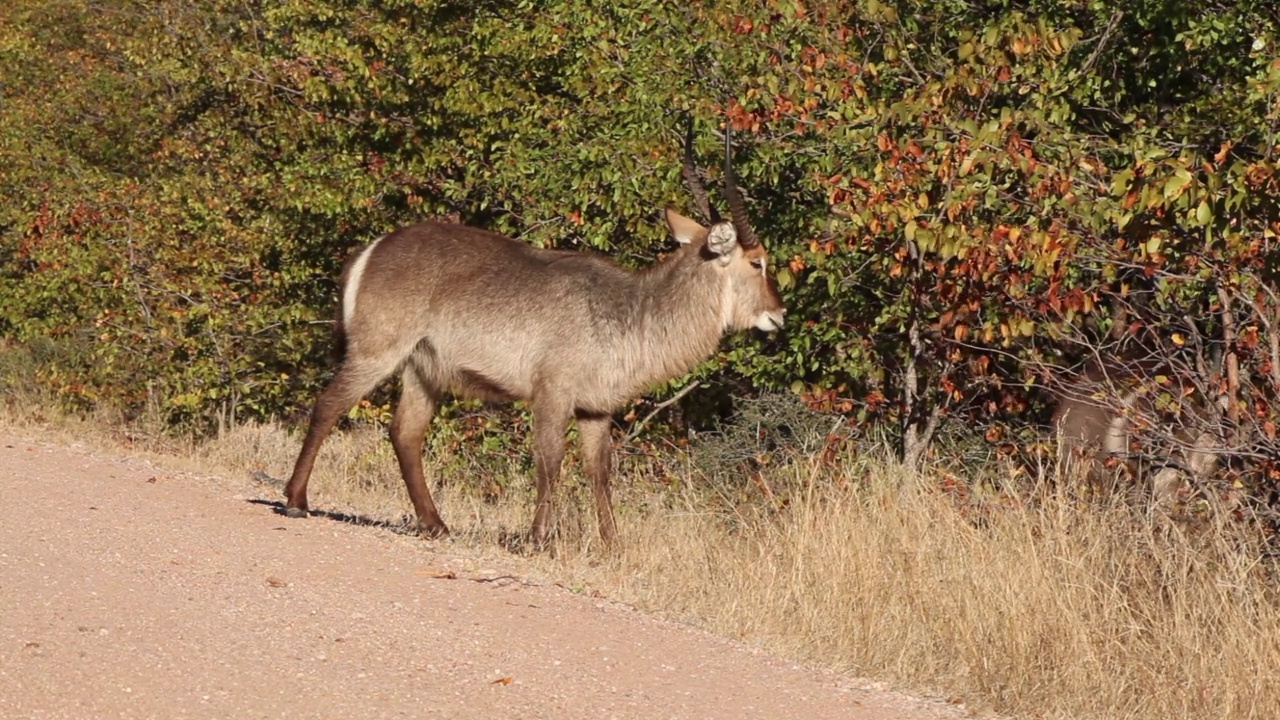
1055	610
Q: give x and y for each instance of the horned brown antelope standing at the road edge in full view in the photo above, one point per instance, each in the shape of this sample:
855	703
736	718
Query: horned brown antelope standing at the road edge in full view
469	313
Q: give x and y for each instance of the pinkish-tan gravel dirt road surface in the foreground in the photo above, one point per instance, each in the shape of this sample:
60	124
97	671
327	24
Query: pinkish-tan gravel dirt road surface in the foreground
129	590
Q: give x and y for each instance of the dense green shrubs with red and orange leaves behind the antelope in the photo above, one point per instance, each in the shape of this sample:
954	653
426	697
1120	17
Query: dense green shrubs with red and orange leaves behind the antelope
958	194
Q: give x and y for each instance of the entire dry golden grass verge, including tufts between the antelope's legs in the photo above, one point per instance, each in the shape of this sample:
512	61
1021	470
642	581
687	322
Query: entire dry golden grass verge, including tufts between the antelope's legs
1054	609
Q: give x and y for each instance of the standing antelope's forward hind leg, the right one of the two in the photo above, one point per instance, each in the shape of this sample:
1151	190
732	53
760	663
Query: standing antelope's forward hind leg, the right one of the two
418	405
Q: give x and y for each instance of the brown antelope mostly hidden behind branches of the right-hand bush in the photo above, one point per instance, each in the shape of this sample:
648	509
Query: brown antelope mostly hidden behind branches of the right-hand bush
1101	414
